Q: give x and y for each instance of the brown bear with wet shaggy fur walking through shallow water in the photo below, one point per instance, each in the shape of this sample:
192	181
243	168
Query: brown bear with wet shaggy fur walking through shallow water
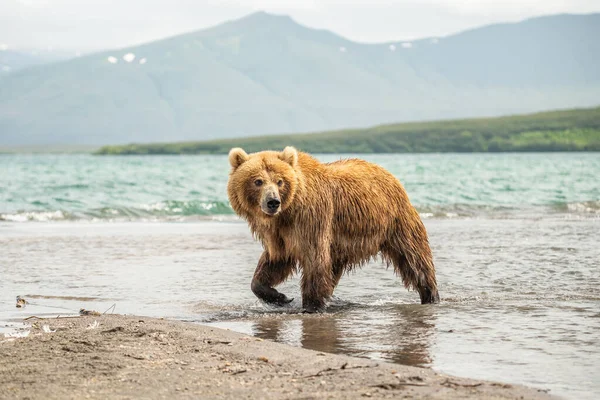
325	219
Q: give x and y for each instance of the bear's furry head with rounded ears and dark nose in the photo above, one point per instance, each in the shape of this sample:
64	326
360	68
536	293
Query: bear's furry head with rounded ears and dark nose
264	183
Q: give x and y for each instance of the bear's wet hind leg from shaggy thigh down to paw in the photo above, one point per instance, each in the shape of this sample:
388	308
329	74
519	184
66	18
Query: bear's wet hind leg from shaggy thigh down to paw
409	252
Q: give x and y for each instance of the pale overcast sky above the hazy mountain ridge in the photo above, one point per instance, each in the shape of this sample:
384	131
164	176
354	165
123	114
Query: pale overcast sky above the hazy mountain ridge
85	25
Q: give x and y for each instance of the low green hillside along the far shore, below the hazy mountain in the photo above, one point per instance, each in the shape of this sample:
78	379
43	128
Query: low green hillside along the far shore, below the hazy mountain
569	130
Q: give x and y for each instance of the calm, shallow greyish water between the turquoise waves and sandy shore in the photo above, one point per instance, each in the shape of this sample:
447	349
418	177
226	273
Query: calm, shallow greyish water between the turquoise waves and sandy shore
520	298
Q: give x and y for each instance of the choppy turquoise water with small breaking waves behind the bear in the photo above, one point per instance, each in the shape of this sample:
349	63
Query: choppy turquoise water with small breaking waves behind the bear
66	187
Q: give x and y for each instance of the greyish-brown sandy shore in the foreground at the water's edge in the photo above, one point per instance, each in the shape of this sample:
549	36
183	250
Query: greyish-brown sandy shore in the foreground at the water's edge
124	357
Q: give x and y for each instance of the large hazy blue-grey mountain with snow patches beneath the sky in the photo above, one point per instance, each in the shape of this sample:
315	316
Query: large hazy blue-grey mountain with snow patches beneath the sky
266	74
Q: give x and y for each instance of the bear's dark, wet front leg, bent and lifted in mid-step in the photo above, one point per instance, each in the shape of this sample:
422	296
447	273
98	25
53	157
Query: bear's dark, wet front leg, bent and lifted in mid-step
271	273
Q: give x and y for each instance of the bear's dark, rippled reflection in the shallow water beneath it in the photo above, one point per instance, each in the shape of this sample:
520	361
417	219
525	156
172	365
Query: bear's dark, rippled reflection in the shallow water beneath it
401	334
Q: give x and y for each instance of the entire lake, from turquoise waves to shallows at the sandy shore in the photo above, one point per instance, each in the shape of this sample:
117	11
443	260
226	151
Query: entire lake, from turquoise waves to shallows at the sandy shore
515	239
